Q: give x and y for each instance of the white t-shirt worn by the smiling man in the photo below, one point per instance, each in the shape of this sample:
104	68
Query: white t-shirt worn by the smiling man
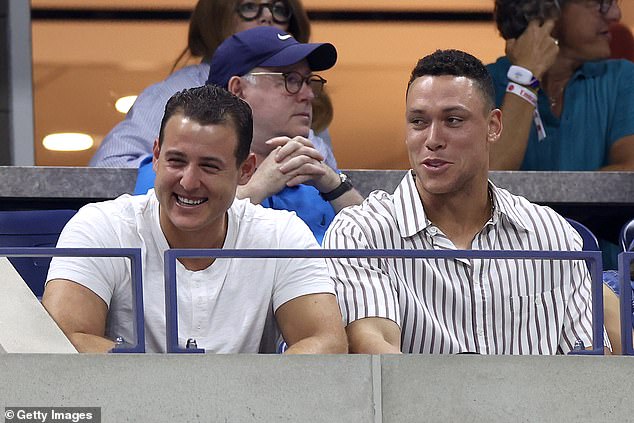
226	306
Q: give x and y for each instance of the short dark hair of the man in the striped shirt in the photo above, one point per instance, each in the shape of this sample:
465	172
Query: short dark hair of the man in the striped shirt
457	63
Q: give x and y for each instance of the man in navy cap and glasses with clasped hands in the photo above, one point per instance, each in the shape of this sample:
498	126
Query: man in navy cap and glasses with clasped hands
272	72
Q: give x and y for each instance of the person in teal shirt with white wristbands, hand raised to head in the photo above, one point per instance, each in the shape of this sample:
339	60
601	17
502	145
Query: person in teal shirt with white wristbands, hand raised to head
565	106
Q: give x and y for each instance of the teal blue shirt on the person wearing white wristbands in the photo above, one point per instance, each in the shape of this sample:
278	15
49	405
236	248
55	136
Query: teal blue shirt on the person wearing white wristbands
598	111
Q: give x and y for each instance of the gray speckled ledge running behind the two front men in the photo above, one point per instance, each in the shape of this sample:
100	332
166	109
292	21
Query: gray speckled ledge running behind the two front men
542	187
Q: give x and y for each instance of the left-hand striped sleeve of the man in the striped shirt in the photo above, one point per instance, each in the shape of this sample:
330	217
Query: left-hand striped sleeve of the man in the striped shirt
364	287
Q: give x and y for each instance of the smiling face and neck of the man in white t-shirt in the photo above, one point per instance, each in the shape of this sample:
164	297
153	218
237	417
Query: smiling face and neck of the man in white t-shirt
196	180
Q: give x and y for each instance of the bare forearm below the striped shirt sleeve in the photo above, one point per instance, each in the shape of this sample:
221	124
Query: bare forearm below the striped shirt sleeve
374	335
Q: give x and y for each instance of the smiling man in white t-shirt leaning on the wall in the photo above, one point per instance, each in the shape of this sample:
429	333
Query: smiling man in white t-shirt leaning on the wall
227	305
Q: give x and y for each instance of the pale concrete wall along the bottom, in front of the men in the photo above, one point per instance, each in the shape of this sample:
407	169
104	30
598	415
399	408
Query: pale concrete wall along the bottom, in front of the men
247	388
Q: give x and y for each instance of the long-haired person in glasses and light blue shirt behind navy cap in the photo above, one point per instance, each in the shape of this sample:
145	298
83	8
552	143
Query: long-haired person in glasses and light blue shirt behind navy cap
130	142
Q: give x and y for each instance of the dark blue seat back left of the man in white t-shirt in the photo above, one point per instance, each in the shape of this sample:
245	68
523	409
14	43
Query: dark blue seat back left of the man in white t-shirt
32	228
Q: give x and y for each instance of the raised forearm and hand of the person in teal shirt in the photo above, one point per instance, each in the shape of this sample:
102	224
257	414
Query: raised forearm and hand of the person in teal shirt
536	51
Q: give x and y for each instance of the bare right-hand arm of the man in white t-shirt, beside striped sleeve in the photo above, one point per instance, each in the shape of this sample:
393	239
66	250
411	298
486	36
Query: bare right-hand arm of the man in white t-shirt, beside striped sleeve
311	324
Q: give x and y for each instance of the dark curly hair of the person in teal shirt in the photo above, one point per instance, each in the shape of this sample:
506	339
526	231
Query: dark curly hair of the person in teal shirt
512	16
